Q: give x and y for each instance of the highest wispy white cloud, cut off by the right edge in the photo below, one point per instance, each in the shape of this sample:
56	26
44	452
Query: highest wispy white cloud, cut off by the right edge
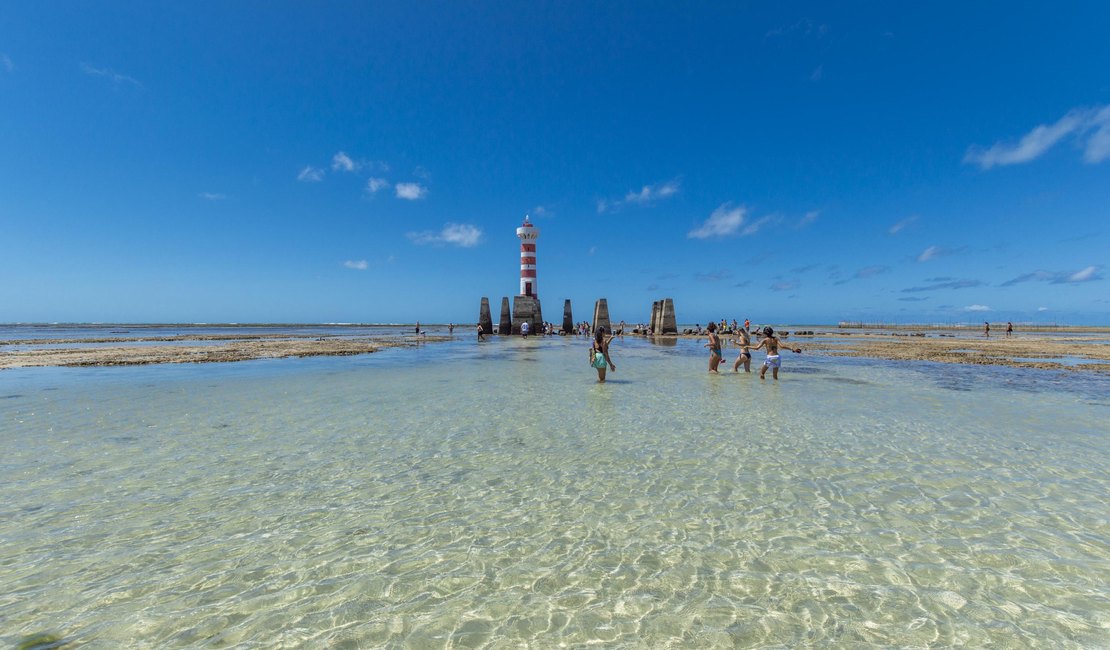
1044	137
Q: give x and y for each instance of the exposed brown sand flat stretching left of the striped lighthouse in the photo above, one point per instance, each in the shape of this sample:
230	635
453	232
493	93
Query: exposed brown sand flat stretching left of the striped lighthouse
178	351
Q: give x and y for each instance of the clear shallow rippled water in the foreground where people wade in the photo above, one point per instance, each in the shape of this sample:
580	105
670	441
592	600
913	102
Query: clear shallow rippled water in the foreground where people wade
462	495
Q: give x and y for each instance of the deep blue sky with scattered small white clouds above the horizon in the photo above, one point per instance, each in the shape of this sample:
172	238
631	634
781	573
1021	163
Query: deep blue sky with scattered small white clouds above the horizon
370	162
